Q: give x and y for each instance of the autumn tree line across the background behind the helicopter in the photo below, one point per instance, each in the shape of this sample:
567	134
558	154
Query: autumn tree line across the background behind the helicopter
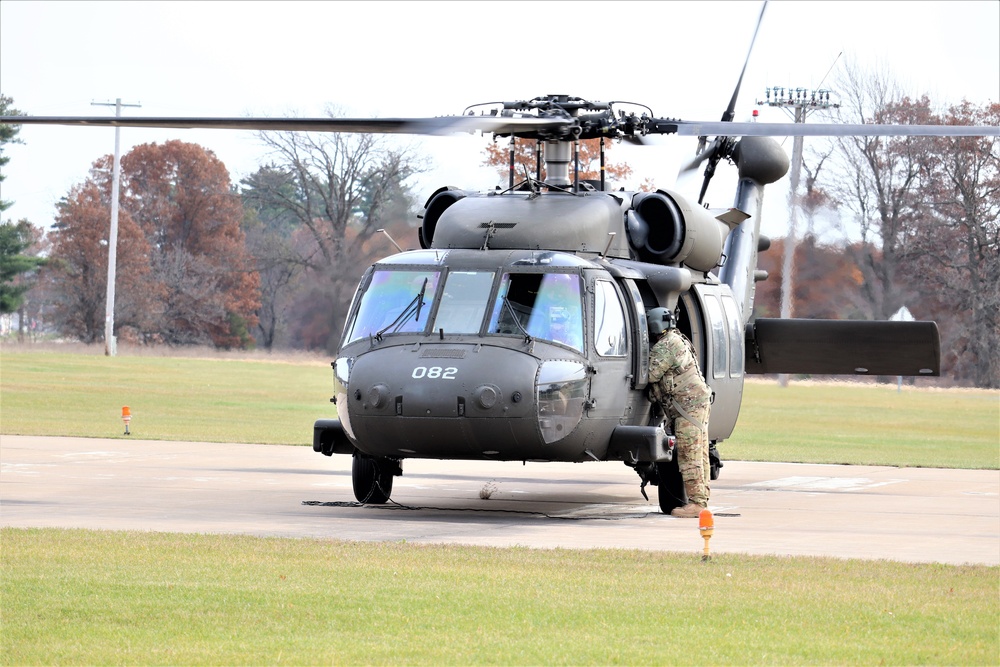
273	261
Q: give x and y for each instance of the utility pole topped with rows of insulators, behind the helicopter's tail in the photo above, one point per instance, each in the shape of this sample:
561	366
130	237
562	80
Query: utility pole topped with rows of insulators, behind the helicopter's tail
801	101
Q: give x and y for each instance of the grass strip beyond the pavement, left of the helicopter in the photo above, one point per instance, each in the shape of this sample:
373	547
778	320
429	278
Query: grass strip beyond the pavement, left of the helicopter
171	398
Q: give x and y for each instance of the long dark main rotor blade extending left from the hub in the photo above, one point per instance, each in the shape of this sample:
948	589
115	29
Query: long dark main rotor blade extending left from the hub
427	126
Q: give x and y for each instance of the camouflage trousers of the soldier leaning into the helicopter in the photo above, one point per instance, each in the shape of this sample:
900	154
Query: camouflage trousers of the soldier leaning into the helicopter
692	440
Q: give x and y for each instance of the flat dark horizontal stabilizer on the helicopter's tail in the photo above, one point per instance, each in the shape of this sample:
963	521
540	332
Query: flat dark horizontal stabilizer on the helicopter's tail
842	347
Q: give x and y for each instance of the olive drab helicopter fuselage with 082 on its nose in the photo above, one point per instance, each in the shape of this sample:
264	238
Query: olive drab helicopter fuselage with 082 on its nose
520	332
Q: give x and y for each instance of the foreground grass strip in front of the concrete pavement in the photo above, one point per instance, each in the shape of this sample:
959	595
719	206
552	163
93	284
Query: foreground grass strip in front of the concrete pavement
81	597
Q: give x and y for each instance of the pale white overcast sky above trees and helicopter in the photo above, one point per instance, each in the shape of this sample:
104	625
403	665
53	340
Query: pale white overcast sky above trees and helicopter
435	58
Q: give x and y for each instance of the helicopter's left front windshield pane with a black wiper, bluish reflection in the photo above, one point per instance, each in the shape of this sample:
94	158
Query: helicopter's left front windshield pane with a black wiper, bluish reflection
395	302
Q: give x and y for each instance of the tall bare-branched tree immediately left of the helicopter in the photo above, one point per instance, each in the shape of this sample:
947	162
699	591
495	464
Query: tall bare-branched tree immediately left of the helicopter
340	189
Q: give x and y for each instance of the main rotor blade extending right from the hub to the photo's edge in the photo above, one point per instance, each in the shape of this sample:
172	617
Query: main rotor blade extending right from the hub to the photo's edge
696	129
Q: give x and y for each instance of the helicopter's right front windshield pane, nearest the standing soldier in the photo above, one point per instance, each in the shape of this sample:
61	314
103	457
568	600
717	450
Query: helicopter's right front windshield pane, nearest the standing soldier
548	306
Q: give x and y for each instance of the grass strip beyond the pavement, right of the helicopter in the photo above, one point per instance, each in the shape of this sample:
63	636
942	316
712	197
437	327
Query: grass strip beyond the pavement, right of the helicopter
867	424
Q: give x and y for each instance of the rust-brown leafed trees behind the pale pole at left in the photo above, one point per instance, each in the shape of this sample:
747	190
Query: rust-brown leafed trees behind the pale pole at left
183	276
